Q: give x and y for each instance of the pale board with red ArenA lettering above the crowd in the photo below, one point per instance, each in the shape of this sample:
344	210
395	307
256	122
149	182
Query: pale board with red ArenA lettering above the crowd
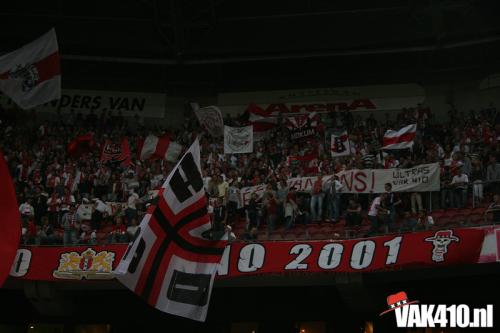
324	100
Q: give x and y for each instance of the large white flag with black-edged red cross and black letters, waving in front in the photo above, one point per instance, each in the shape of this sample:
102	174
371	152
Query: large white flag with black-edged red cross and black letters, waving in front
170	264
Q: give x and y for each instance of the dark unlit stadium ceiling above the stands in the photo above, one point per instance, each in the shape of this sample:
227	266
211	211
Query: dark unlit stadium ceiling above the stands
189	46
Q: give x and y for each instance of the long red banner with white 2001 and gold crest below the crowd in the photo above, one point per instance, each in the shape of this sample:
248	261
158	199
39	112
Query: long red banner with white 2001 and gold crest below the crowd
435	249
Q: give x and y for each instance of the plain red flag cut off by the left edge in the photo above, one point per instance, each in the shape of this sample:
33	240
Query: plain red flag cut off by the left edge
10	223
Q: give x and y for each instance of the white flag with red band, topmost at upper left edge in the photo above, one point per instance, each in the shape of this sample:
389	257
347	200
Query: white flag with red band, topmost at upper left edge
31	75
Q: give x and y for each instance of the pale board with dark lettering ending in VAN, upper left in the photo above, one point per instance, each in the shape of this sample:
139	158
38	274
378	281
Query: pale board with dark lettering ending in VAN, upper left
129	104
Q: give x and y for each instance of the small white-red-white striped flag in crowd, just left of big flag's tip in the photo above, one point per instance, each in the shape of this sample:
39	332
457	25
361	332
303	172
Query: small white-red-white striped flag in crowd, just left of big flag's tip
155	147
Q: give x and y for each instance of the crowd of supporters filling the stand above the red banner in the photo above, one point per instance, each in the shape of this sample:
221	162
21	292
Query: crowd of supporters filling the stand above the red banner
65	198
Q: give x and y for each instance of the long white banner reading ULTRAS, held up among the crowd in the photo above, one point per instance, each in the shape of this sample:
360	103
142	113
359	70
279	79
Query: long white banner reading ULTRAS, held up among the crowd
422	178
